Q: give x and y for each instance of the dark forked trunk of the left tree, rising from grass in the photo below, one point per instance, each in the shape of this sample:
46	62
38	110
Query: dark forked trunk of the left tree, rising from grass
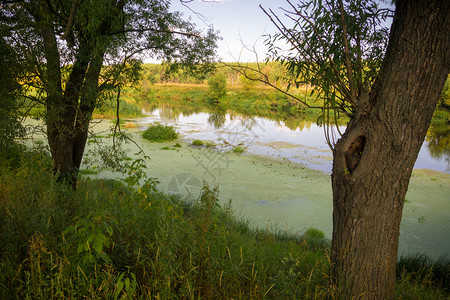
68	112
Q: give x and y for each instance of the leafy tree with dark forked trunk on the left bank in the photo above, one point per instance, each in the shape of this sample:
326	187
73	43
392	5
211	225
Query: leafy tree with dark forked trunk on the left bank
77	53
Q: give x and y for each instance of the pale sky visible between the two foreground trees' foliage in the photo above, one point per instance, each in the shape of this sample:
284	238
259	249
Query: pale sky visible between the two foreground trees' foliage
241	24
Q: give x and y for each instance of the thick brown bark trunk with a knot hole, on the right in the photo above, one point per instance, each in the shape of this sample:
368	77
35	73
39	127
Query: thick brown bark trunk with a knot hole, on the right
374	158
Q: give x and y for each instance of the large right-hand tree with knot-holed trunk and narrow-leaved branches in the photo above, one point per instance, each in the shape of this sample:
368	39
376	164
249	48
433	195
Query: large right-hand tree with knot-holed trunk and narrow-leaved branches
339	46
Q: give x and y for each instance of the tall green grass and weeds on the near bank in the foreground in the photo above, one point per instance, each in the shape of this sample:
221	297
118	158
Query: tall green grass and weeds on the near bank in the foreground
108	240
